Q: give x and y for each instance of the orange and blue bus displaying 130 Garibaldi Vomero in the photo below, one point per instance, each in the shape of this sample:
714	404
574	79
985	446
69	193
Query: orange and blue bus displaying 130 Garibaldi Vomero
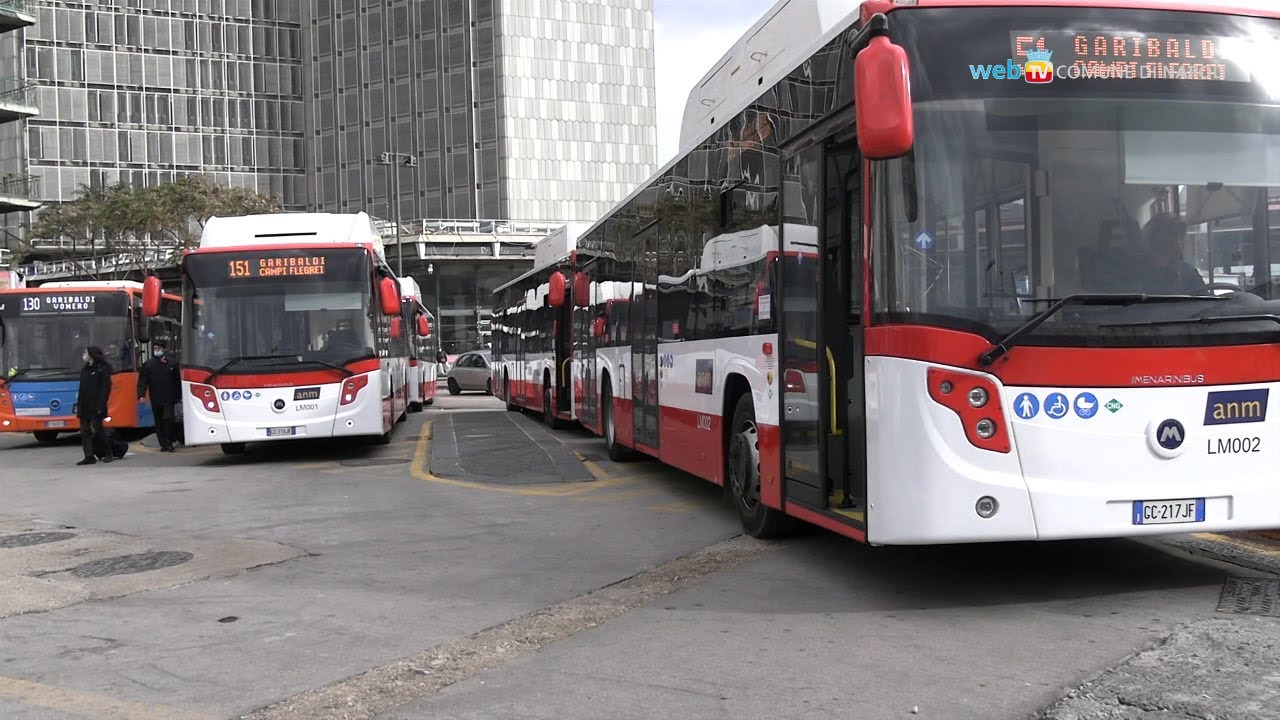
45	330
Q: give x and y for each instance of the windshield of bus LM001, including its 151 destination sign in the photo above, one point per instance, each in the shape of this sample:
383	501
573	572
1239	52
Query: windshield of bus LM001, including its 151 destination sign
262	309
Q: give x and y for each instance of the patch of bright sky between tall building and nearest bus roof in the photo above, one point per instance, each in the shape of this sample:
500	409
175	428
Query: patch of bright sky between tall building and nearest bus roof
689	38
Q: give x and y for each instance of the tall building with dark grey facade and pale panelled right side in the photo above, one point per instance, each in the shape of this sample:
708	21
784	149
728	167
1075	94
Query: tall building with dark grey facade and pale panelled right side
533	111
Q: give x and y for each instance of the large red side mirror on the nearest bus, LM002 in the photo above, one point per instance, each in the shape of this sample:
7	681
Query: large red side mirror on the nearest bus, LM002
886	127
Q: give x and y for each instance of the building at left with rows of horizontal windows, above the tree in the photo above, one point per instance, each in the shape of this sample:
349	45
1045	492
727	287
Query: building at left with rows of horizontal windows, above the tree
147	90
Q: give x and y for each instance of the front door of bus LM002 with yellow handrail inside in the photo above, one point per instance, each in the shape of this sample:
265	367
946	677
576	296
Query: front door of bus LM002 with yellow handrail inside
824	408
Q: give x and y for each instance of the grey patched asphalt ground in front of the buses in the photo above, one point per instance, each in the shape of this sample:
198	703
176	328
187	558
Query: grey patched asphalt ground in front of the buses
481	567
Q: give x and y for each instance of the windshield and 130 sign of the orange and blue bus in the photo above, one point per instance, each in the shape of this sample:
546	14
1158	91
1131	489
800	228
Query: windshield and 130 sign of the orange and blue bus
45	334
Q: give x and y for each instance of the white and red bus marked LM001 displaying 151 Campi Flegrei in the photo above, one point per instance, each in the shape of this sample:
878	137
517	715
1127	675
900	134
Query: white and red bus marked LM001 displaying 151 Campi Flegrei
292	330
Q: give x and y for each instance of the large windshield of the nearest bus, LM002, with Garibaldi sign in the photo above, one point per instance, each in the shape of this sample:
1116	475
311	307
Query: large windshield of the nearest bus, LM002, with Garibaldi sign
1149	162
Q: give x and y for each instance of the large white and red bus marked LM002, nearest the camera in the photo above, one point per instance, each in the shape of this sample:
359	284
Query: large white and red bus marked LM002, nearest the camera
985	316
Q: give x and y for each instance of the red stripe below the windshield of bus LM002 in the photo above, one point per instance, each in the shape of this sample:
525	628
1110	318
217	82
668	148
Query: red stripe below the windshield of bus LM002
1082	367
